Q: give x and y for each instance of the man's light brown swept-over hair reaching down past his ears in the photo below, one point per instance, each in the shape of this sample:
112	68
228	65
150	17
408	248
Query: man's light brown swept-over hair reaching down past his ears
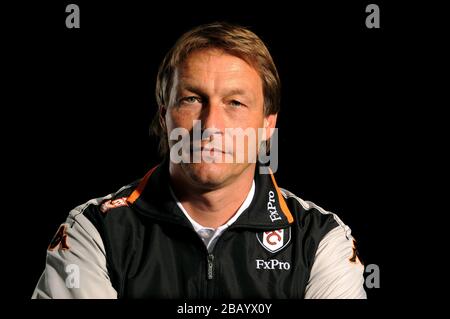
232	39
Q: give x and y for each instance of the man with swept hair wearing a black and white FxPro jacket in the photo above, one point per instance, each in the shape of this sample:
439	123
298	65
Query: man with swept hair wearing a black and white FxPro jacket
207	223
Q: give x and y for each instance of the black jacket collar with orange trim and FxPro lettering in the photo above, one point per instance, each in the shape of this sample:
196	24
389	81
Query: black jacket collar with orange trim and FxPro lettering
267	211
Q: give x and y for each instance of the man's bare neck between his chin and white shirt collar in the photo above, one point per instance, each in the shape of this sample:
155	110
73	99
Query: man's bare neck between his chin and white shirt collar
213	207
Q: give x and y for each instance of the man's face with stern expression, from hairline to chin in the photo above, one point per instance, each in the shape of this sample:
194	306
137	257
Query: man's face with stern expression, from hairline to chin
223	92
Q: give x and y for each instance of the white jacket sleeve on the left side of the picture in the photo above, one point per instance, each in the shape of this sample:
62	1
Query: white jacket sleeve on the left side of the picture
76	263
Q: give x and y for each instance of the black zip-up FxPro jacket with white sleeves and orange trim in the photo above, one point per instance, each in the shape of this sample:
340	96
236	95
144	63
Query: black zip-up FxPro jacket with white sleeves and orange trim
136	243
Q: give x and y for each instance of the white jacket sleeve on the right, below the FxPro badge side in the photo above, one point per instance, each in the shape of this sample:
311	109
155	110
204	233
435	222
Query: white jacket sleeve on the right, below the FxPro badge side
337	272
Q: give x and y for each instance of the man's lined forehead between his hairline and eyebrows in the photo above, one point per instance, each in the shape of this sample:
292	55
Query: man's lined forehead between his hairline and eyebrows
218	68
